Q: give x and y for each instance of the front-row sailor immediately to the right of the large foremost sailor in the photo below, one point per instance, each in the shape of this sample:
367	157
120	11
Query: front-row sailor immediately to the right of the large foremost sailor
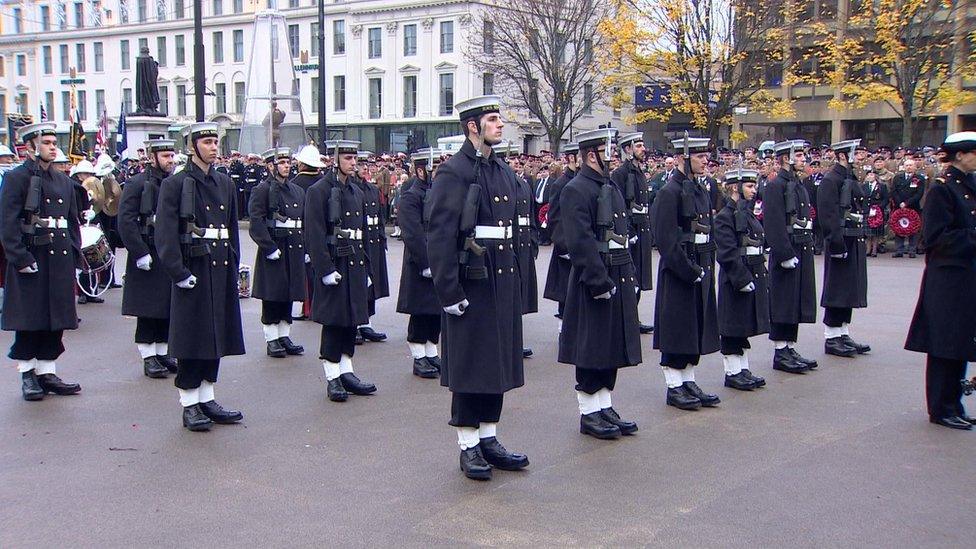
600	330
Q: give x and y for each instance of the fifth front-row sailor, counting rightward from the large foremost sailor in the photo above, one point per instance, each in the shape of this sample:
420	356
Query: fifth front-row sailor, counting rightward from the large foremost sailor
789	235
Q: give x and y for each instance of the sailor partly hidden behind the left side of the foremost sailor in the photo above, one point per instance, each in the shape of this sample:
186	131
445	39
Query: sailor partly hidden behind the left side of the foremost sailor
416	296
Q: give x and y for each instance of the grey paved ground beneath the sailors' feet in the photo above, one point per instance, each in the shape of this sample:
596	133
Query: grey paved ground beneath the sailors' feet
841	457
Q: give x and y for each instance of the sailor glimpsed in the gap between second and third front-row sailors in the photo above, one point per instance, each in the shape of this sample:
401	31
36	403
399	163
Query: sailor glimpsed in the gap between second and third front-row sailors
632	182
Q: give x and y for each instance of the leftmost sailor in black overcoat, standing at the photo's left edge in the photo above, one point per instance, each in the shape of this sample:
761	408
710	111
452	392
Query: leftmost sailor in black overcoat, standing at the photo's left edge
42	241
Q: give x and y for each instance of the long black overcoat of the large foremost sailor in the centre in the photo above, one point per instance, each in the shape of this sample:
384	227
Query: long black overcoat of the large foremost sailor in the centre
482	349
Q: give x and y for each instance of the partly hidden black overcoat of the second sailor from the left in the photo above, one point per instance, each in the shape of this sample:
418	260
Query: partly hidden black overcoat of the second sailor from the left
146	294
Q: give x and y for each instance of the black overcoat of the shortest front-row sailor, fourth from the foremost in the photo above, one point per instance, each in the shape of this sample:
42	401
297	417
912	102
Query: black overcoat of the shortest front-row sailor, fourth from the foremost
740	314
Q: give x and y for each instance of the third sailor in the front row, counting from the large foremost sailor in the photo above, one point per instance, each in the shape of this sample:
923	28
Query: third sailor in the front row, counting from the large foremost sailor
685	315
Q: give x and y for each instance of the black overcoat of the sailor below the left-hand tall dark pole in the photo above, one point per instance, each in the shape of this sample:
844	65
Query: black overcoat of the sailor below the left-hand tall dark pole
205	321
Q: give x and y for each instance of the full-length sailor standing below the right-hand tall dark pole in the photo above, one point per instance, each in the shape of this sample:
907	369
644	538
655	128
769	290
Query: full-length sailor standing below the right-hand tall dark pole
335	220
